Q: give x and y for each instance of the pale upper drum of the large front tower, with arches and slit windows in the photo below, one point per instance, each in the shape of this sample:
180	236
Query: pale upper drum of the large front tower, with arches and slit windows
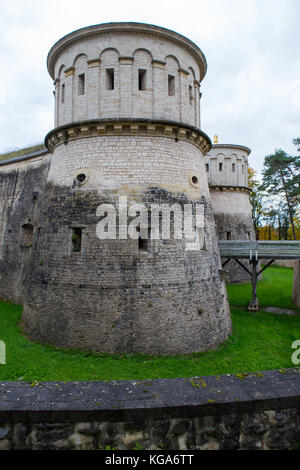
124	53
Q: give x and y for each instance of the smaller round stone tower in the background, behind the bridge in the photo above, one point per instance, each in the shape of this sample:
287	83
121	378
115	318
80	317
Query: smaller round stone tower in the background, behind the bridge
227	171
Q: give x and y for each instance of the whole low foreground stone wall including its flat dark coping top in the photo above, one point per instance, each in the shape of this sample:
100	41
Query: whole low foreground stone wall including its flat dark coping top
255	411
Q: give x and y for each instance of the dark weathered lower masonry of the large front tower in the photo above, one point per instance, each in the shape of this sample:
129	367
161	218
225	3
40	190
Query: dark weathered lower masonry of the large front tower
109	297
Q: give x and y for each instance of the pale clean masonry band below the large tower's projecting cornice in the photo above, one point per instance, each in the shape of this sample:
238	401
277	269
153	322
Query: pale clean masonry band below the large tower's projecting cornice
129	162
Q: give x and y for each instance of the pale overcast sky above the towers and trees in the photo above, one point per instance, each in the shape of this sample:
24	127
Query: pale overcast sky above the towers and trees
251	93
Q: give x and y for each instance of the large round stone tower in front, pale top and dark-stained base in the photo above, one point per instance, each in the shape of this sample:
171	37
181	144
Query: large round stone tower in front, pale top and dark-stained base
127	125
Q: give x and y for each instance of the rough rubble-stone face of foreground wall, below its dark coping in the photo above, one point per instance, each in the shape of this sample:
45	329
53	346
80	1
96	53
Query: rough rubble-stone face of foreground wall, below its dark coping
268	430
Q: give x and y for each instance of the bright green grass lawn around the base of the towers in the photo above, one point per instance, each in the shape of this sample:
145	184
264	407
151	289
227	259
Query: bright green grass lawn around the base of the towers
259	342
